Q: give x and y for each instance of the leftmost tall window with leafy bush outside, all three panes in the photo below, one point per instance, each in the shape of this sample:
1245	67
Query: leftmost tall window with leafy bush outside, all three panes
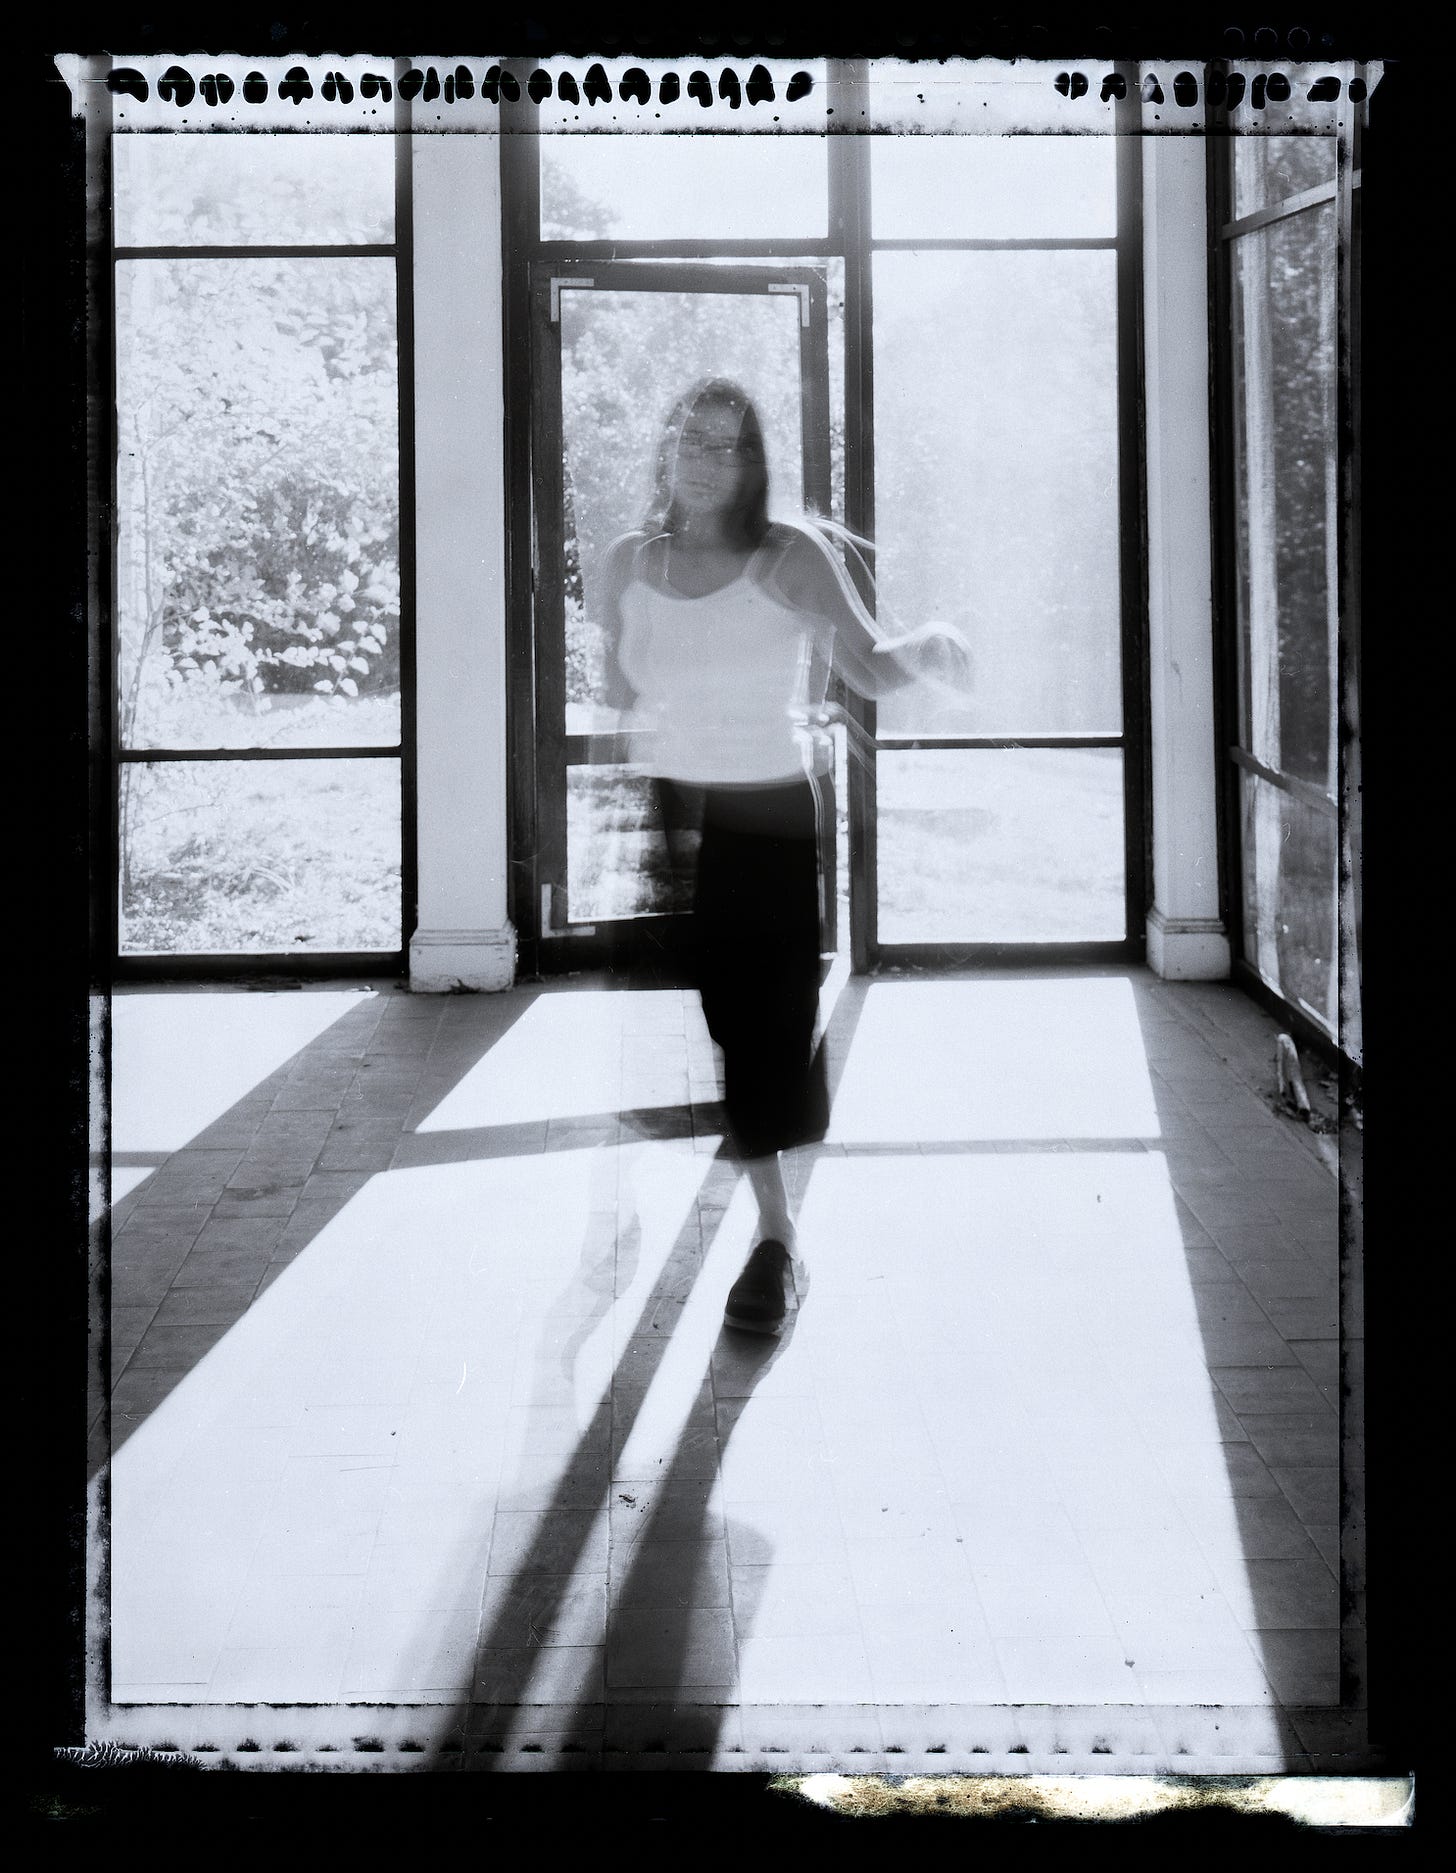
260	664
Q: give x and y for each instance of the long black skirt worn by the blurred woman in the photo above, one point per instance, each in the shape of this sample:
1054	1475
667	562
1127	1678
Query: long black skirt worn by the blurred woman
754	949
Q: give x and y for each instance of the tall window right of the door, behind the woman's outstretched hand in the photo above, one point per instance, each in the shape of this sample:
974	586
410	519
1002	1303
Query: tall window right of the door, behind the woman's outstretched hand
1000	289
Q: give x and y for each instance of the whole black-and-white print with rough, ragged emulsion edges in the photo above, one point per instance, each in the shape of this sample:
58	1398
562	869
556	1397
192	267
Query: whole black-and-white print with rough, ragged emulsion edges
726	863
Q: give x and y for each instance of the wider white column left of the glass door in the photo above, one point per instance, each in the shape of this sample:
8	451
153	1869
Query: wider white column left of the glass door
464	937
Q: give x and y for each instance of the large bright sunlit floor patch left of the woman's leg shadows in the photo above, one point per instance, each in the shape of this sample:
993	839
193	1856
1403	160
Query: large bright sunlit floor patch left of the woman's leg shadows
344	1447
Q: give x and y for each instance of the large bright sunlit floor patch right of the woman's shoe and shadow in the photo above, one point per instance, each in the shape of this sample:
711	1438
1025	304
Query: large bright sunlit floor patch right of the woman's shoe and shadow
1030	1336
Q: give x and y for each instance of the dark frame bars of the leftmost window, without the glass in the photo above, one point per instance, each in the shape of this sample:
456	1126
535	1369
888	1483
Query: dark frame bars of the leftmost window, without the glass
207	966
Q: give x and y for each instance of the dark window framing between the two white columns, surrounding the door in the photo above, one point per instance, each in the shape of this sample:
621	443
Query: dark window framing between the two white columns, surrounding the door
848	239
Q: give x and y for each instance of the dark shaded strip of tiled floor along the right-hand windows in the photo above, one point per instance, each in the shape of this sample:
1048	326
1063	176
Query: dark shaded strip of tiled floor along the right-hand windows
1249	1200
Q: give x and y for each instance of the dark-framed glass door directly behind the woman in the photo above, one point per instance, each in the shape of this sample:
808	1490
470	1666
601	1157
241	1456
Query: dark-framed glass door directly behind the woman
616	346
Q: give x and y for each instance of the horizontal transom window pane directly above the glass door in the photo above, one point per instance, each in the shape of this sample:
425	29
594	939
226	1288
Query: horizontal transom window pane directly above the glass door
683	188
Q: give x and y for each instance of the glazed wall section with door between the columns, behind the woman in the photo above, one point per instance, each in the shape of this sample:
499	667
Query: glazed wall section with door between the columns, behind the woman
977	434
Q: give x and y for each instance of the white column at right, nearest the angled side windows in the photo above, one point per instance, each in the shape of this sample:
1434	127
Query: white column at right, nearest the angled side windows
1185	932
